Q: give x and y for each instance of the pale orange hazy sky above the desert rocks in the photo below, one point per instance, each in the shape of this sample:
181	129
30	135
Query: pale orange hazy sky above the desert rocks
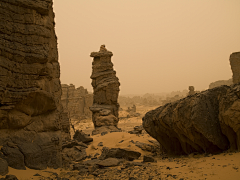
158	45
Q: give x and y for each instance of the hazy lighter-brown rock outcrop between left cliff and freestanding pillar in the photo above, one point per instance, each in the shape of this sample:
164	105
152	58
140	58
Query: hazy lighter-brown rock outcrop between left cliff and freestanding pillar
76	101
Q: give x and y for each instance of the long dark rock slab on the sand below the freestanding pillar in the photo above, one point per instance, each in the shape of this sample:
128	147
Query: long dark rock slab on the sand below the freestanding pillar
119	153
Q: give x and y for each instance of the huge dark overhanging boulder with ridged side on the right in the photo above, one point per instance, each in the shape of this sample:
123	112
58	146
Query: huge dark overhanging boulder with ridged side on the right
204	122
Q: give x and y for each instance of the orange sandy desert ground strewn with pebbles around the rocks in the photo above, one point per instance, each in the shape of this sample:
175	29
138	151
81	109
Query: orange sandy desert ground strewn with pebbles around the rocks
194	166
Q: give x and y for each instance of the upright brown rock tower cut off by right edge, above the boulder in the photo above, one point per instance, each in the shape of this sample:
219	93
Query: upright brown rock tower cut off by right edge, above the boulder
235	66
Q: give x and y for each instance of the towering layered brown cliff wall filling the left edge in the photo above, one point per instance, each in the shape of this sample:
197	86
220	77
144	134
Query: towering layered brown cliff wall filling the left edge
30	91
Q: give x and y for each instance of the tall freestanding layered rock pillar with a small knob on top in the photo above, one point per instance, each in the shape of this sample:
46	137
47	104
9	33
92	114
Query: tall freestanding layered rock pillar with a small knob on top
106	88
